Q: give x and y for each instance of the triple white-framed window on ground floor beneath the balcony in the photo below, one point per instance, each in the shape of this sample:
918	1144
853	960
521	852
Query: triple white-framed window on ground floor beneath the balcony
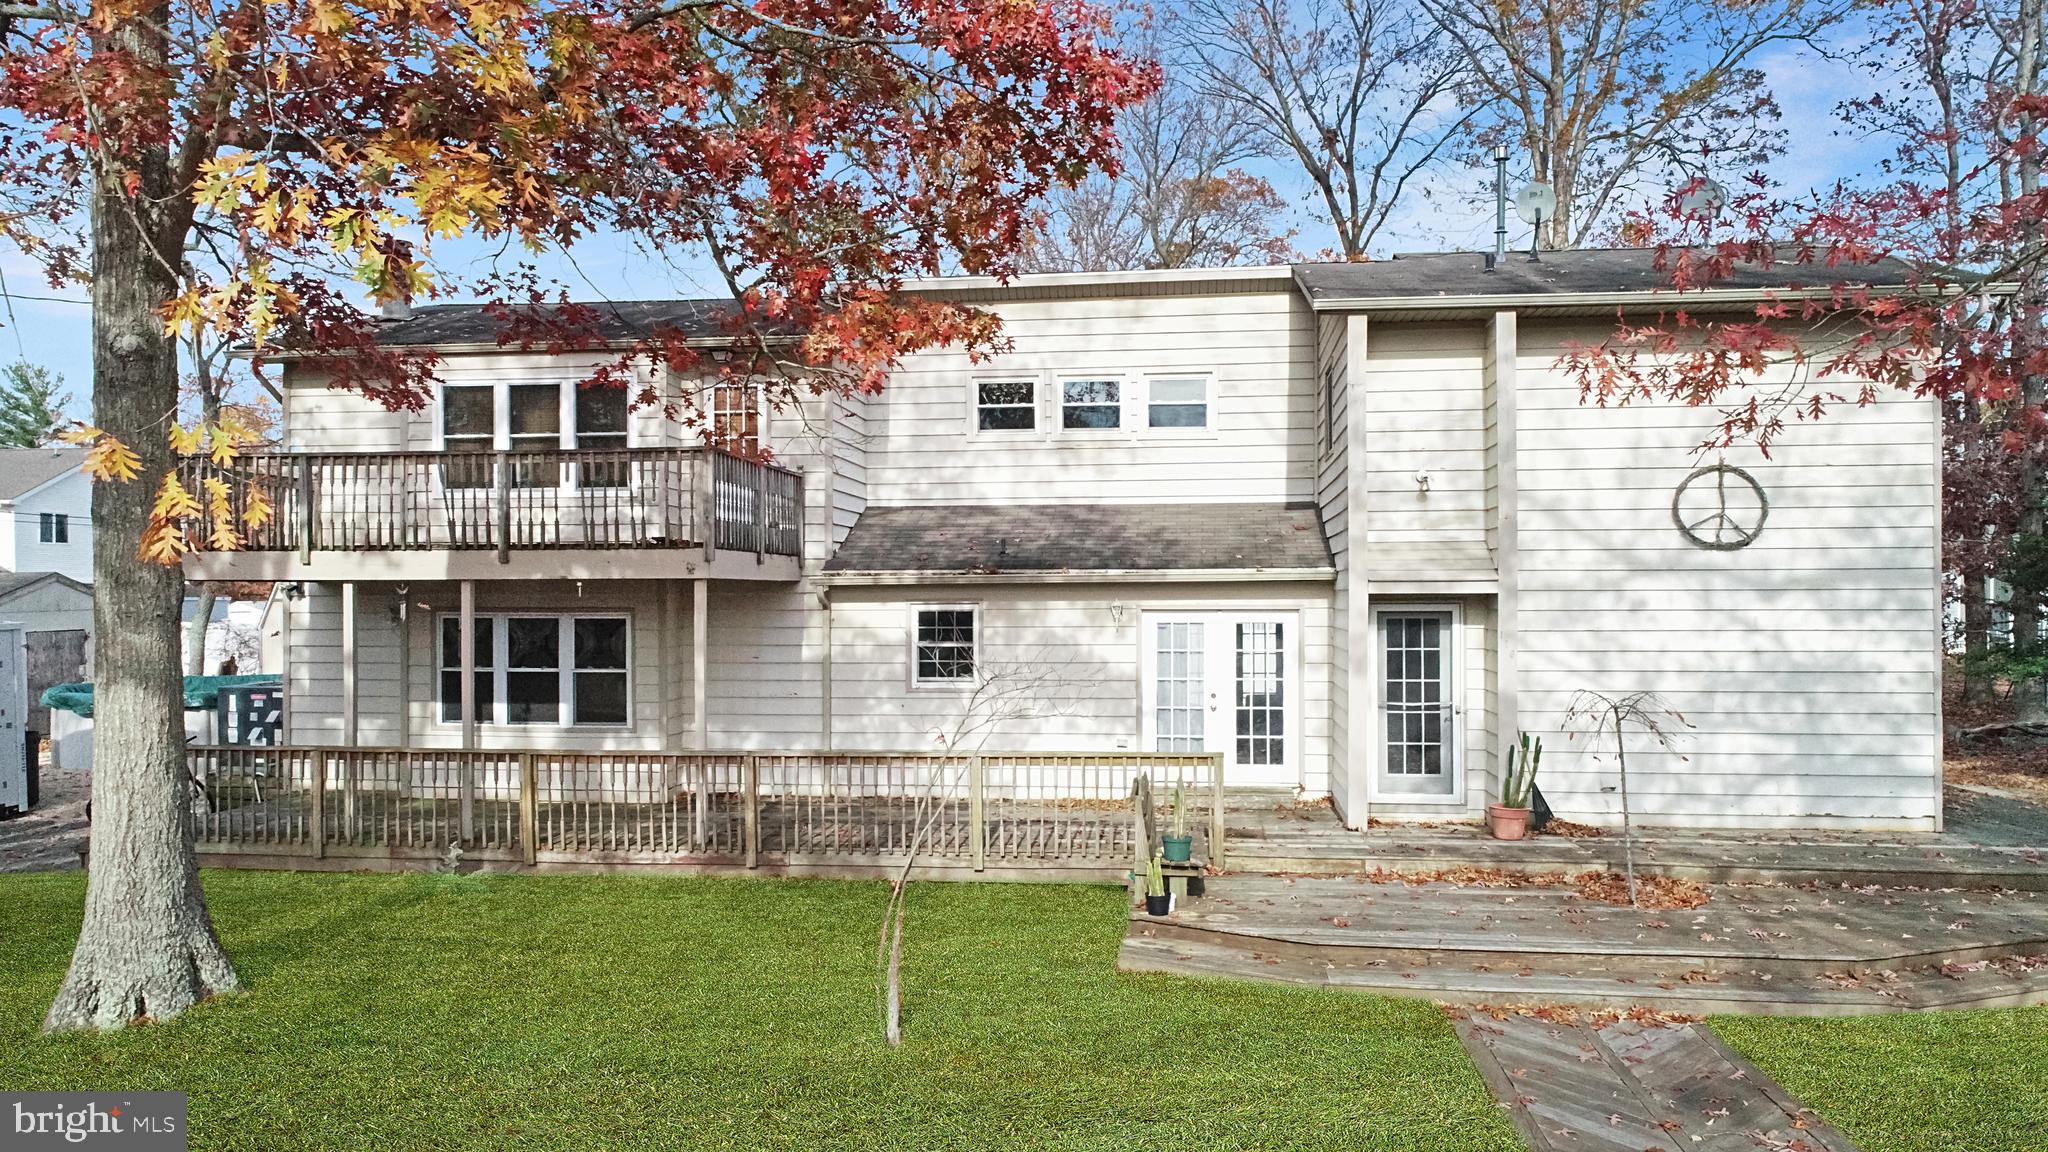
540	669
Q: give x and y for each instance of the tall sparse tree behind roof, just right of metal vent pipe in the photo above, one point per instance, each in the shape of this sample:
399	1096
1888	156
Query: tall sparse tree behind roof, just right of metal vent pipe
1615	101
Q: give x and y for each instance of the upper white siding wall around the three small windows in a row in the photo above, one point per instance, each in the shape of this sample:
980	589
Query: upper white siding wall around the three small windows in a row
1254	349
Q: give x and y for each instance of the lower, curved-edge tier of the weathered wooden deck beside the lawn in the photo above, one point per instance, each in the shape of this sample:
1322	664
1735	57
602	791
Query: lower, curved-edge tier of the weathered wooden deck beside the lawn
1768	950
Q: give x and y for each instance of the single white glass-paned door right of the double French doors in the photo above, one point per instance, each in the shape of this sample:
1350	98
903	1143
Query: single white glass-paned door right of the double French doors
1418	757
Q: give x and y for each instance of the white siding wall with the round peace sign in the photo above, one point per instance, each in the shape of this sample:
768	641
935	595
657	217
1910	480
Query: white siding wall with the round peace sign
1807	661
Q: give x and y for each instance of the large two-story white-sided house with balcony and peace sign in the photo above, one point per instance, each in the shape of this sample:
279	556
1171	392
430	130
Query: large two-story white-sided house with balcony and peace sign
1345	524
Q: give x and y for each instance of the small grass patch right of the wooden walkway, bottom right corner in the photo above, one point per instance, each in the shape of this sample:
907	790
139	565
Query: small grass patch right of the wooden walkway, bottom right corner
1914	1083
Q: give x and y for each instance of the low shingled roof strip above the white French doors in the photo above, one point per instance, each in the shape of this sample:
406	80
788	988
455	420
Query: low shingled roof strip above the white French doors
1084	538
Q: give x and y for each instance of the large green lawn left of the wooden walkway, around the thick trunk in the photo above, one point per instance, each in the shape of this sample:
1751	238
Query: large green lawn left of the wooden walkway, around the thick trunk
466	1012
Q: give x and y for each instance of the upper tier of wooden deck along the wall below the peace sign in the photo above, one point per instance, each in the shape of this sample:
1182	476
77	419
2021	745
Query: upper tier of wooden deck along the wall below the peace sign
1992	844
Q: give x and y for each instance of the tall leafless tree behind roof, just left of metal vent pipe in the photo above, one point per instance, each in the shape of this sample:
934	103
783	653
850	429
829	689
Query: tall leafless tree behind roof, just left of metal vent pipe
1357	95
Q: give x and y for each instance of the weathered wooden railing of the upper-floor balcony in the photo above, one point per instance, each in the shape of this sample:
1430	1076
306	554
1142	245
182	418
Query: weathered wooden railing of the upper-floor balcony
509	501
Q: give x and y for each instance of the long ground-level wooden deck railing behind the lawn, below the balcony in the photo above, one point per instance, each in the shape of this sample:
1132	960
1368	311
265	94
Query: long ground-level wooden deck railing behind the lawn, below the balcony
970	813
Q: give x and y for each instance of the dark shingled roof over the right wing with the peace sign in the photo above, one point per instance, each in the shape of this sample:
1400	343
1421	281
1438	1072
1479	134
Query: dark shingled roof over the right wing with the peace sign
1588	278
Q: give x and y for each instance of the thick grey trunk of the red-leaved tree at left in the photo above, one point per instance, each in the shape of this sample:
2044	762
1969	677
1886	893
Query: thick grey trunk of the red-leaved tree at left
146	948
